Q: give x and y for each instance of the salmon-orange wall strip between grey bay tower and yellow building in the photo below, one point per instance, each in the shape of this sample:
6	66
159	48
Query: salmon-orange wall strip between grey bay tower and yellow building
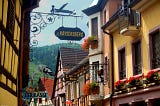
110	8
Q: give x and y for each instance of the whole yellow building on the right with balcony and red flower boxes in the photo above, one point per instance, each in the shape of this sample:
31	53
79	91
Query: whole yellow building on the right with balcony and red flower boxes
135	30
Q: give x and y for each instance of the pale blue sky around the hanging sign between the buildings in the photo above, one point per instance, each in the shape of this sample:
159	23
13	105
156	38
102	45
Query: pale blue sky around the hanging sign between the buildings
46	36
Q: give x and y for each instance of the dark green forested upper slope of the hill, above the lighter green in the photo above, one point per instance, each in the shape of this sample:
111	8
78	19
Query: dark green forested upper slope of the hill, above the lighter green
47	55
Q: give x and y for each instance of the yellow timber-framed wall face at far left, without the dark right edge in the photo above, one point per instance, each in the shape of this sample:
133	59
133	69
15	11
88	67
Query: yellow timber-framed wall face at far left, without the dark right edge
9	47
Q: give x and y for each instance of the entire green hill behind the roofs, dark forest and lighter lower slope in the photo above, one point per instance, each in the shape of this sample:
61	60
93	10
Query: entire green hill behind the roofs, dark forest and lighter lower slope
46	55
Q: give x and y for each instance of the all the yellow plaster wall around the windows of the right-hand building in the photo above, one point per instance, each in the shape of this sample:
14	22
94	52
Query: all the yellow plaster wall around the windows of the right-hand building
149	20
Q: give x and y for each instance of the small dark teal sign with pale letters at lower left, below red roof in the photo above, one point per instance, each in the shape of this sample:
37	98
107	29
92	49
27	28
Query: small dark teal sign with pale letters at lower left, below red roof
35	95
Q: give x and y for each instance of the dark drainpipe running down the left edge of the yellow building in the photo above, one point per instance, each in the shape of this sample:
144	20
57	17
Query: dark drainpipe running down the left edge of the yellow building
112	72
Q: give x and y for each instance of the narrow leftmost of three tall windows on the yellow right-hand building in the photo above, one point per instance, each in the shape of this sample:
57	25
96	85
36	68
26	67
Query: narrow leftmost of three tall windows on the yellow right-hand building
122	63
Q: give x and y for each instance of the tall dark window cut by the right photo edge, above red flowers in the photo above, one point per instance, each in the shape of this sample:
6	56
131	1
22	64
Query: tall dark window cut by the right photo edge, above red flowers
155	49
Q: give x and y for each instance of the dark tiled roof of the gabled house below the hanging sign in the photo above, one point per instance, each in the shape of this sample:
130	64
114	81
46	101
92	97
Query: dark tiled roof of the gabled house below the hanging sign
71	57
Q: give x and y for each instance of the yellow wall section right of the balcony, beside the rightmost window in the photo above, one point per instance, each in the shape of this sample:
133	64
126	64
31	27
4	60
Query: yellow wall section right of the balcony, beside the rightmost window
150	20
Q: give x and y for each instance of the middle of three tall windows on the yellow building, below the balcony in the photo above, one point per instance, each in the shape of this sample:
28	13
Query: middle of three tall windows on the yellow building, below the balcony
136	57
